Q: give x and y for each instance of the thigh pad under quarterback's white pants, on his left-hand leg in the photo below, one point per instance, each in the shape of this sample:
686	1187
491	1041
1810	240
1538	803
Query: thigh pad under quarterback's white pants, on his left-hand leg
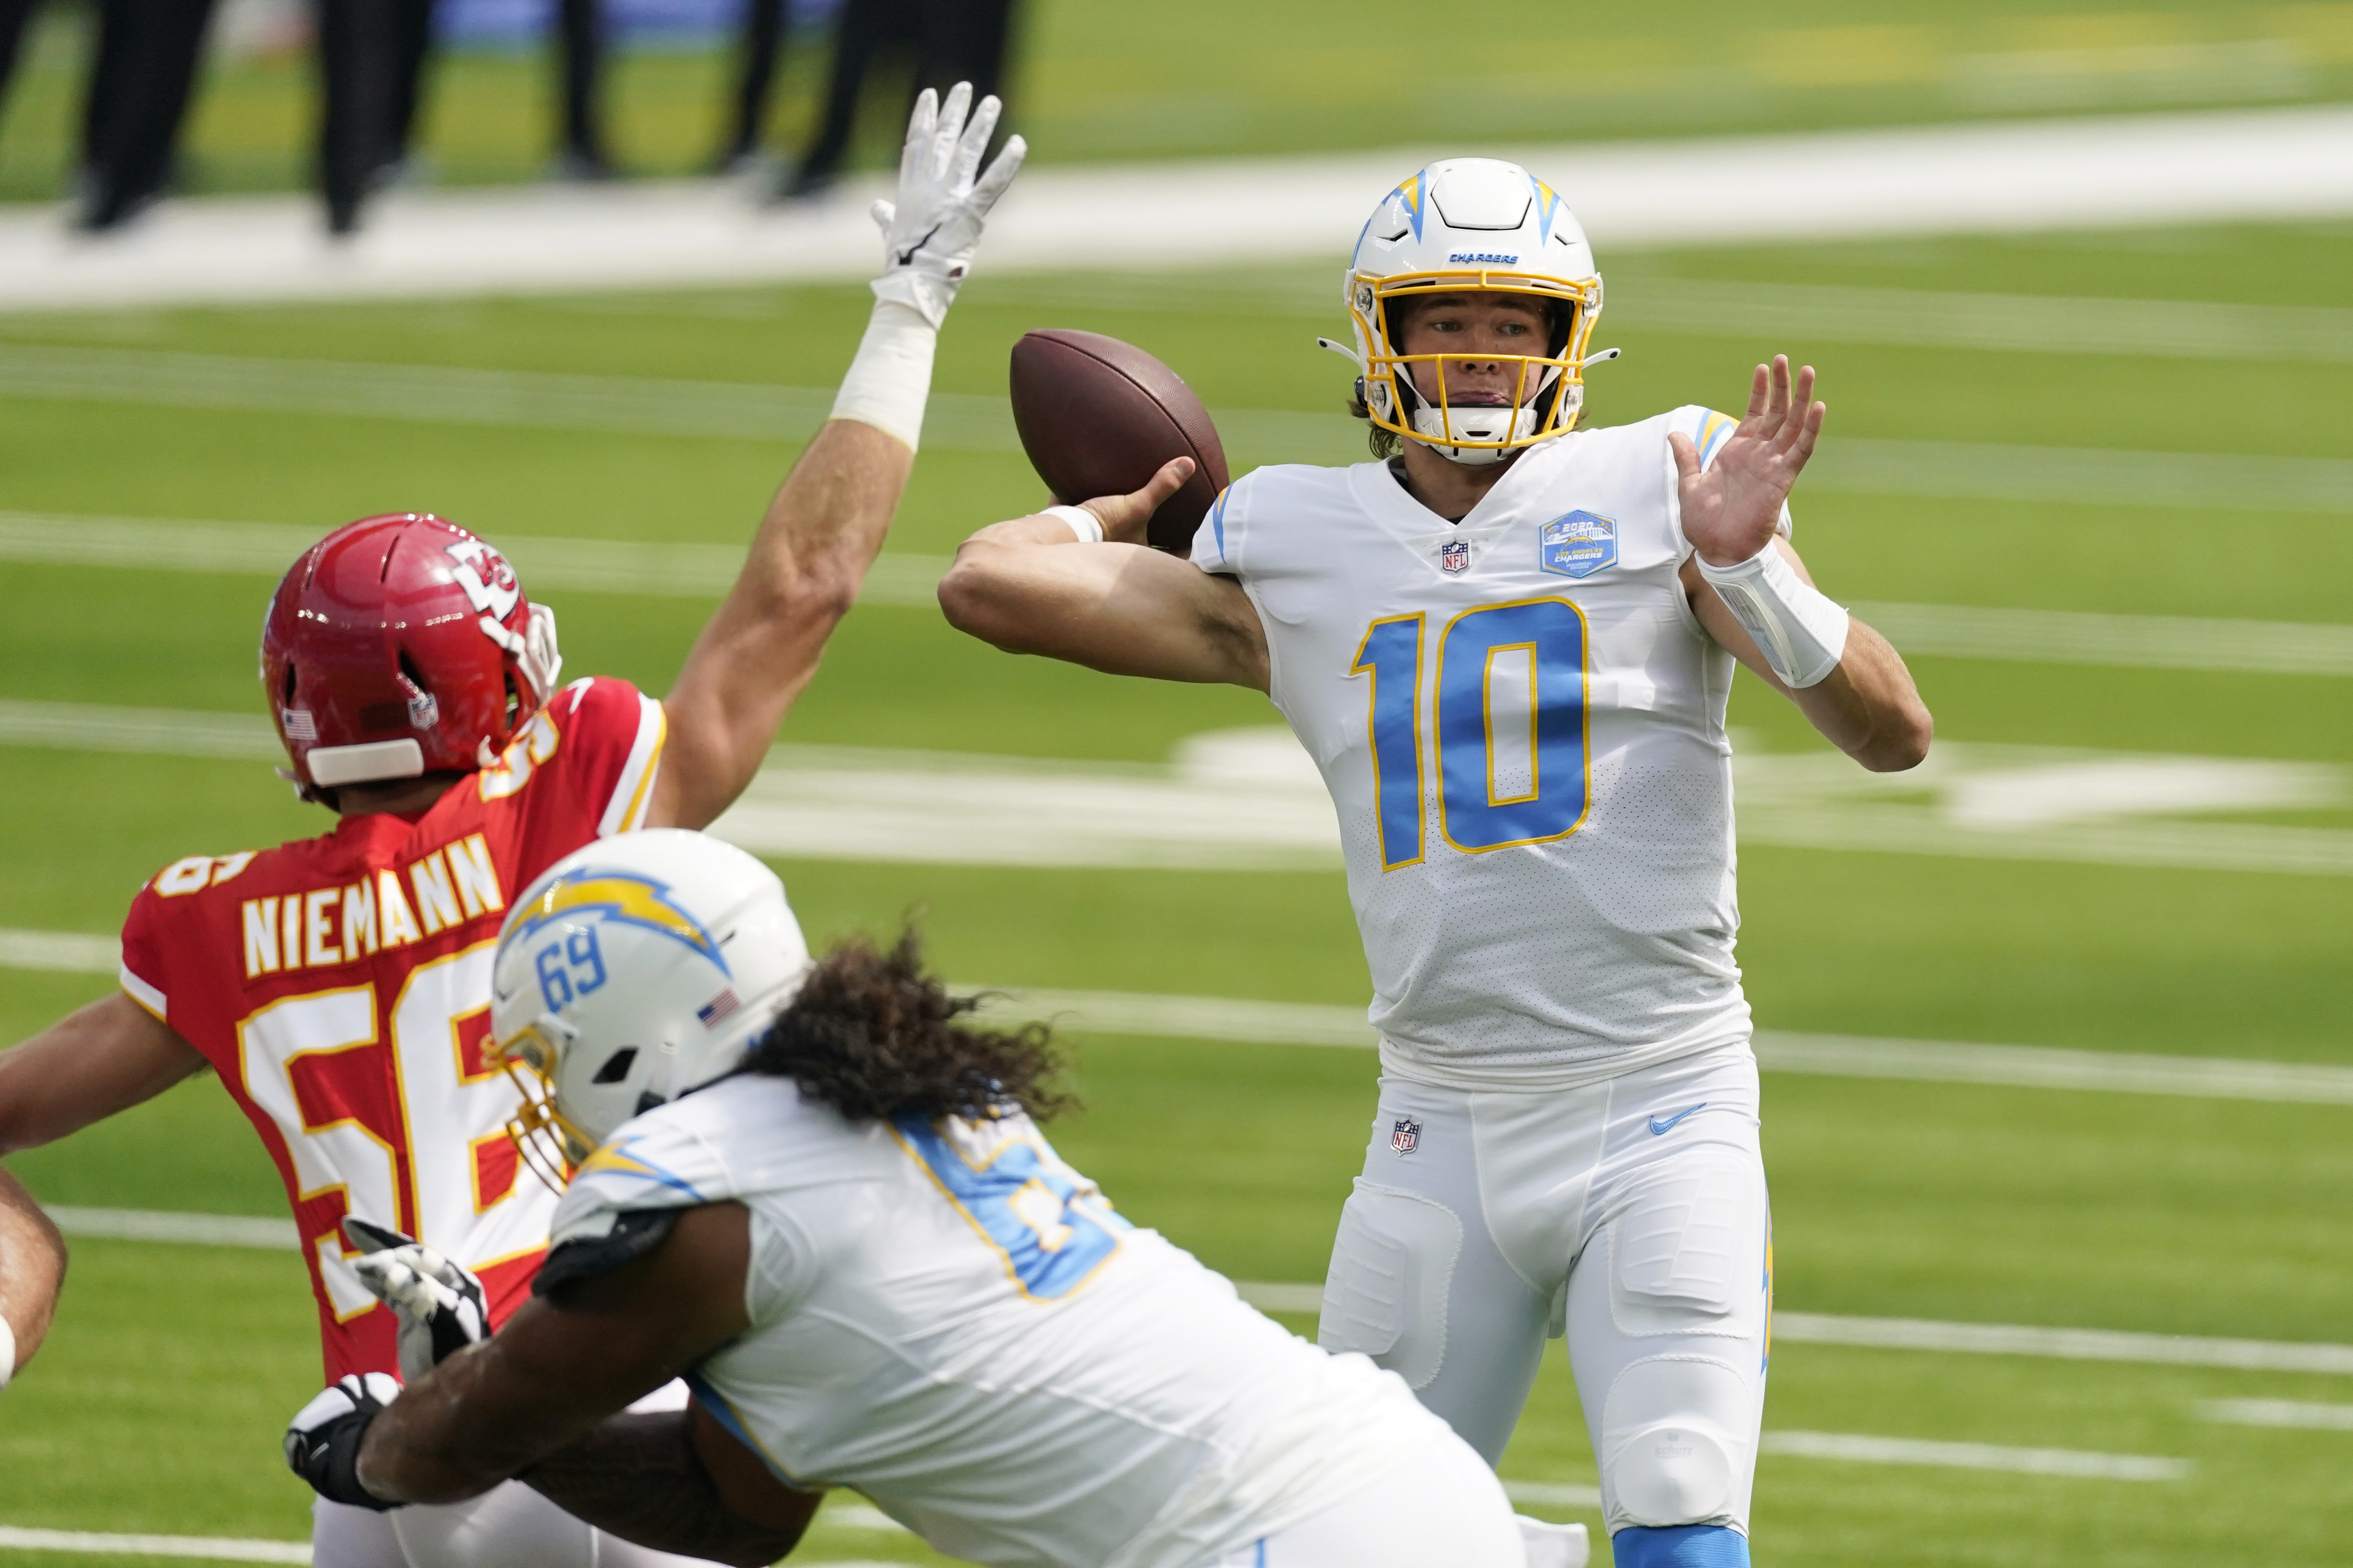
1392	1270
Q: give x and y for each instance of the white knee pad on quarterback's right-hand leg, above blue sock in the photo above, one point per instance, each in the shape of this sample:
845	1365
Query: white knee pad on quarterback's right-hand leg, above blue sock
1677	1442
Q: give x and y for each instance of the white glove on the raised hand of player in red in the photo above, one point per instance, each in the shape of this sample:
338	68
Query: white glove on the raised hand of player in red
933	230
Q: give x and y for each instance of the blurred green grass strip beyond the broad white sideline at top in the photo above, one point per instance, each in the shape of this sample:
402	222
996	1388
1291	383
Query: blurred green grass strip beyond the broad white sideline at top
1121	81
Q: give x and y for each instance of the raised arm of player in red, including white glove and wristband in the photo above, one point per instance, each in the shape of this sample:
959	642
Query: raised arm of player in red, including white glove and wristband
827	524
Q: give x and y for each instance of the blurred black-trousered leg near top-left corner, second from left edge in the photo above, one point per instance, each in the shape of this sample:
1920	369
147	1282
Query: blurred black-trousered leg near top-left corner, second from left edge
138	105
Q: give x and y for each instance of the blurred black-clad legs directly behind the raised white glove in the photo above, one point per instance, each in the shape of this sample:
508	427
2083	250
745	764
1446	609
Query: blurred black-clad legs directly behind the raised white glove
949	41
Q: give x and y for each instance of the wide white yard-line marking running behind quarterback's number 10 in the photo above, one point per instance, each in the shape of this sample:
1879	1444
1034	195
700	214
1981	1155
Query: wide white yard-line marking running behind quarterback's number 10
1253	802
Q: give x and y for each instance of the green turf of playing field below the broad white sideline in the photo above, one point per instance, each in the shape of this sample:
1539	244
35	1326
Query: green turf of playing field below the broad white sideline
161	1397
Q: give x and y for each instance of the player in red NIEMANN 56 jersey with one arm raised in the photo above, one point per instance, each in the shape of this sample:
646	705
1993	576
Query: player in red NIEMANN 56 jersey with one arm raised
342	985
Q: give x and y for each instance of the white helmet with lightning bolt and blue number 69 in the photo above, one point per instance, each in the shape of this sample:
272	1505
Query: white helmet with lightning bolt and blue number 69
632	974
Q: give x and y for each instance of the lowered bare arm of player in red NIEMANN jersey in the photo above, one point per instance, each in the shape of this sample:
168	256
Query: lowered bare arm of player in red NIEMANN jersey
86	1068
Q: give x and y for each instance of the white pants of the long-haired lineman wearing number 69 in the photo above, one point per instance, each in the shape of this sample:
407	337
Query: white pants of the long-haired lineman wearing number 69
1439	1510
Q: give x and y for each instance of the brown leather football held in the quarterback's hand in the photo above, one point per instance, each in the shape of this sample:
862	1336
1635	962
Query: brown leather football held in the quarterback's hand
1100	418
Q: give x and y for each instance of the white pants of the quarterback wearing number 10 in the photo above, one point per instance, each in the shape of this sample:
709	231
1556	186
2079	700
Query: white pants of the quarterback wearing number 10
1629	1216
